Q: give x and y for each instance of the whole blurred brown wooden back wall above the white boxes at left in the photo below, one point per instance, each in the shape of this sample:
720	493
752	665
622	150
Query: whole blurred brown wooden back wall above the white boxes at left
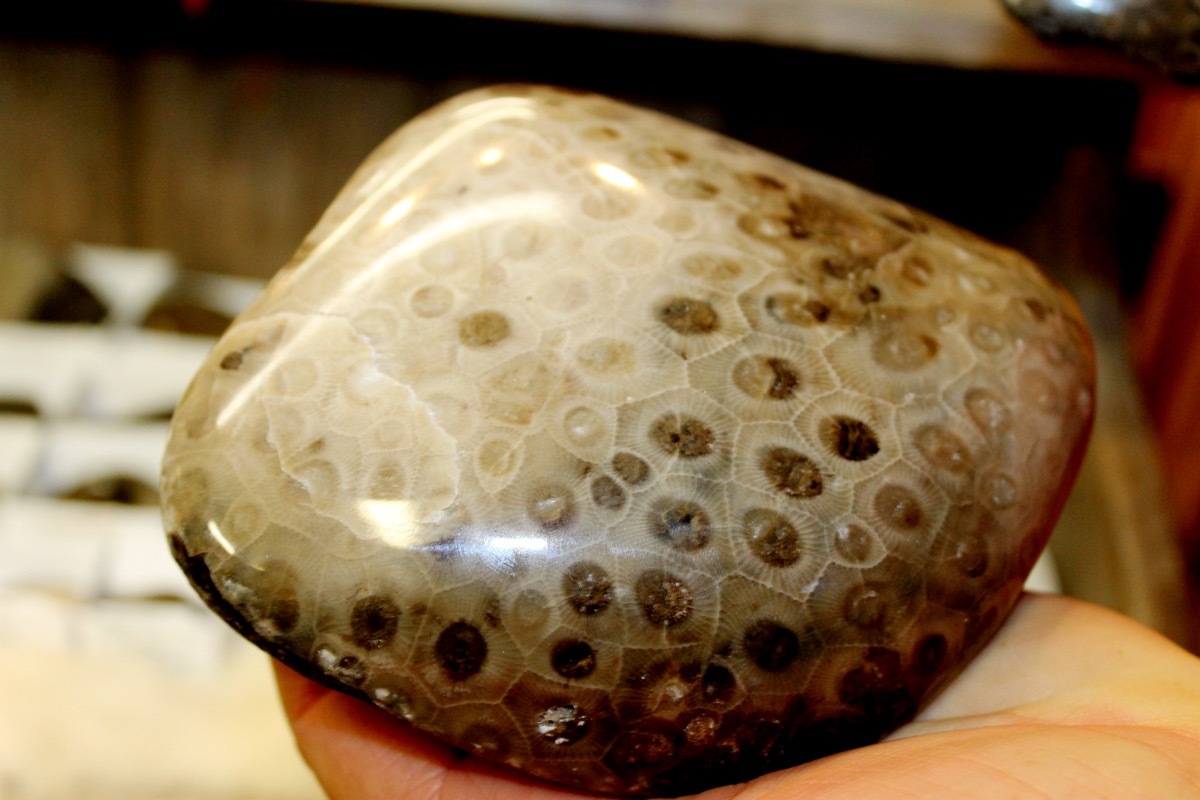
226	163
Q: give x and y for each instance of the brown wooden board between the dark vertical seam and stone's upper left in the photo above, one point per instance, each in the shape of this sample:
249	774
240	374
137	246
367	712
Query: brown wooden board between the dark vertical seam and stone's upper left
238	159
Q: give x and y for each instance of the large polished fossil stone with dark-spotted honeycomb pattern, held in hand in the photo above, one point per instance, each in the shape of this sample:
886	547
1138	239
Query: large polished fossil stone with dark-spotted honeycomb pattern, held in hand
627	455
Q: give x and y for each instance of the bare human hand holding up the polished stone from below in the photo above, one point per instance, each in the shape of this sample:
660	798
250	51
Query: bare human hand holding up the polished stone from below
1069	701
